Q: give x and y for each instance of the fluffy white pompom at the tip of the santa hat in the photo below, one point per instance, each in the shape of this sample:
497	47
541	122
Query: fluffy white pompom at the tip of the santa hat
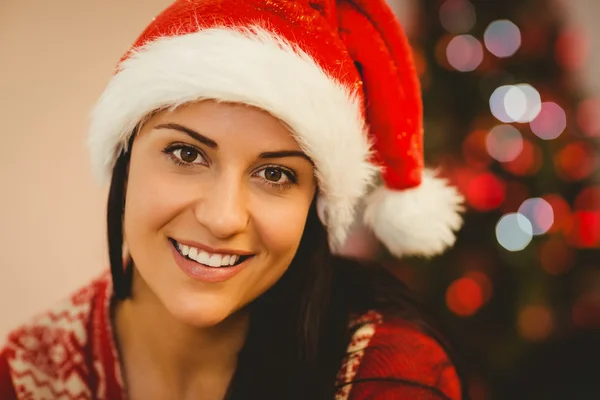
416	222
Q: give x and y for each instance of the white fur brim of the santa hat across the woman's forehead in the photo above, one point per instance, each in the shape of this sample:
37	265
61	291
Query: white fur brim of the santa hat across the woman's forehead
255	67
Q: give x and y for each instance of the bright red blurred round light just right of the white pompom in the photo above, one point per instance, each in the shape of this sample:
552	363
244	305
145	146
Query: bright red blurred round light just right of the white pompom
485	192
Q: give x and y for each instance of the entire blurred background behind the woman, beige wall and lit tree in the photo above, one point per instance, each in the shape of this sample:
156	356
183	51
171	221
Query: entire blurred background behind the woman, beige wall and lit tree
512	116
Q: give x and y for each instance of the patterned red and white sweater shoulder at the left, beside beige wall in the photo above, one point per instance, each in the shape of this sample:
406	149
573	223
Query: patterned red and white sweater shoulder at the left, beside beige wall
48	357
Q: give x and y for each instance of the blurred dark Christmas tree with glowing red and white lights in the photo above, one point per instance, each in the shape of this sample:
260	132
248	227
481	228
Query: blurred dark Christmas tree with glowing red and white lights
505	117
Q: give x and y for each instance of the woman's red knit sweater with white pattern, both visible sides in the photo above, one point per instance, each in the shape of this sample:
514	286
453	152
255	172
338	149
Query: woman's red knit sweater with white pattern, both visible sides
69	353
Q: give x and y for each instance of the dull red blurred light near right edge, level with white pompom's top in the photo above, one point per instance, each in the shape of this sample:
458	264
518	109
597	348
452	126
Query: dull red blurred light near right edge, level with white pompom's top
575	161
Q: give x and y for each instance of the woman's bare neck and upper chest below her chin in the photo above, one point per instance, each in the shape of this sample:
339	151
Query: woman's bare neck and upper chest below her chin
179	355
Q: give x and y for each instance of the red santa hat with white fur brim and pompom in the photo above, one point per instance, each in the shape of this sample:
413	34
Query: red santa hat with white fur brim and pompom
340	74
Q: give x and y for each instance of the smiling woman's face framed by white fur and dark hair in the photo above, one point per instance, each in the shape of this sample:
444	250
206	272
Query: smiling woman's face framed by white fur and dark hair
209	185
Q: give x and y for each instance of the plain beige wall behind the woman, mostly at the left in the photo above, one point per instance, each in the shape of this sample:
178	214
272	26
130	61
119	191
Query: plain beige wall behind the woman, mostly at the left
56	56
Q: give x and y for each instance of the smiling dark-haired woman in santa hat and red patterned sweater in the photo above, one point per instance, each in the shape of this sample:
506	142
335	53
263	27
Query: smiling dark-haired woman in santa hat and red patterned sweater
239	137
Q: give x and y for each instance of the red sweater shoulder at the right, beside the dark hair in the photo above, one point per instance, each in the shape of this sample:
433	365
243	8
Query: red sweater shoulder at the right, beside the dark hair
389	358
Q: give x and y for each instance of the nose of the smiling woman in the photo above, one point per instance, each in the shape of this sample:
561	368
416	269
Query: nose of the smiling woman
223	207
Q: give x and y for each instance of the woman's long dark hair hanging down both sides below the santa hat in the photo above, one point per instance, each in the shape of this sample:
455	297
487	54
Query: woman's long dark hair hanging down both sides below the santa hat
298	331
